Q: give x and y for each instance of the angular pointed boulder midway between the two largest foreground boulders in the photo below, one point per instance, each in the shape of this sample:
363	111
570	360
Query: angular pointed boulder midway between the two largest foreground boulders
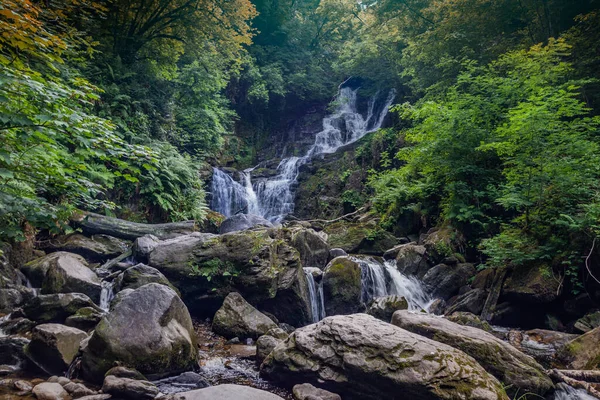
237	318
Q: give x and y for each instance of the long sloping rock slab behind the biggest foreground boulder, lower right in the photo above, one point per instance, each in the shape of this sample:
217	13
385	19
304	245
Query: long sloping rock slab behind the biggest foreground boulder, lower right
506	363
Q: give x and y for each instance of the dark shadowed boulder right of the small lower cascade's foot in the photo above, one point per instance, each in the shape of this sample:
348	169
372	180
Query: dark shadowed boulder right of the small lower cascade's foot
445	280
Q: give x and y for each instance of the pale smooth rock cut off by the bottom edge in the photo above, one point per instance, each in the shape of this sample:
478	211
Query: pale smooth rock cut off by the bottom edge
225	392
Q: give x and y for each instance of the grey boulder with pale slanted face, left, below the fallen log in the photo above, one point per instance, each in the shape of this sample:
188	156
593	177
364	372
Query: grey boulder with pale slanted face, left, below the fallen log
69	273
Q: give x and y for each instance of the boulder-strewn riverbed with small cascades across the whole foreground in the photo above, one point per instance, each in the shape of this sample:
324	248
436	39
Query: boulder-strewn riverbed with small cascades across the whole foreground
111	313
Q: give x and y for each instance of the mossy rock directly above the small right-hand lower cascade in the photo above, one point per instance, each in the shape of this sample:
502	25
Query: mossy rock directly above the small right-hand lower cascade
360	237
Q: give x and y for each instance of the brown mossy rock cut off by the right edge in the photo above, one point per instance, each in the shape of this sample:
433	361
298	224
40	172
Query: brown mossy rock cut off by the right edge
582	352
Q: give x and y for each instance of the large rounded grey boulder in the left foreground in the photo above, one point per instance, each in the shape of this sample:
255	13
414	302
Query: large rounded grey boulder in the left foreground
148	329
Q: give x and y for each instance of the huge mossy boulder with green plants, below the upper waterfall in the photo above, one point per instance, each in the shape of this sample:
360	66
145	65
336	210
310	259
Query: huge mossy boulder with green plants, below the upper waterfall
259	264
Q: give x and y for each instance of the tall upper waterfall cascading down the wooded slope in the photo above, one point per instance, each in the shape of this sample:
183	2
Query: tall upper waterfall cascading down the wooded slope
273	198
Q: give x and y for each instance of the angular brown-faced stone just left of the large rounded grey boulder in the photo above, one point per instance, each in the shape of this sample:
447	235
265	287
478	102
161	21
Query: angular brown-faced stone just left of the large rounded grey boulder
53	346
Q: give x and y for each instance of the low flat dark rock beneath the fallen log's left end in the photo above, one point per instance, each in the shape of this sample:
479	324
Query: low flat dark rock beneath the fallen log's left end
96	248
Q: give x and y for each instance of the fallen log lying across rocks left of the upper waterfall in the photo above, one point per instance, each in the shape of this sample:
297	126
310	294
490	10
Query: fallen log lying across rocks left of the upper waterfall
91	224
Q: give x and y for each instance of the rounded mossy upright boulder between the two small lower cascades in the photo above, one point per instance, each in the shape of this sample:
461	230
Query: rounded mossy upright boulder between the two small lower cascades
342	286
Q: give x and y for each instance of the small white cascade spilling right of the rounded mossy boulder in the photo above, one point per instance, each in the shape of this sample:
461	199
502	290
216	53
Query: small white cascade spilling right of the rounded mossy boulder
383	279
